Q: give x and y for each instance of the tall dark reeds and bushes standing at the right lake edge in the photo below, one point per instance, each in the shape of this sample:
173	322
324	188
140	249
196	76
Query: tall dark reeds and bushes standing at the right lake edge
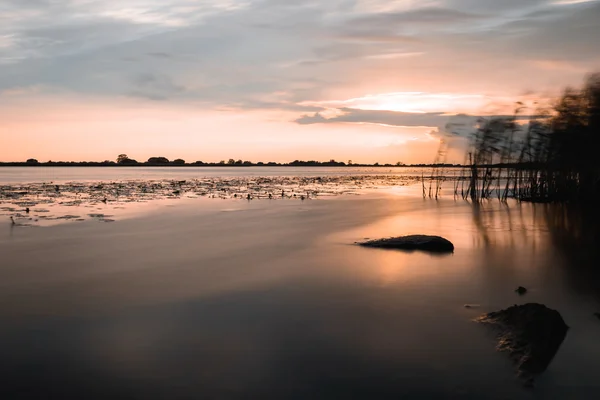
552	160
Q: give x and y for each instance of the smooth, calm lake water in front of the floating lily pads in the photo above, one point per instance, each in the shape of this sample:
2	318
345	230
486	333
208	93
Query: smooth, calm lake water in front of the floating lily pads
228	299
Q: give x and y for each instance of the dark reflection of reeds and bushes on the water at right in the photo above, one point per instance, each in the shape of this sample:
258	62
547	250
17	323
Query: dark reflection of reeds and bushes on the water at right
562	236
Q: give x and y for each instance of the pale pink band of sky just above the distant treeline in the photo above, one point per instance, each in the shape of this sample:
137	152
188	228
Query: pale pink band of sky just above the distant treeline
93	130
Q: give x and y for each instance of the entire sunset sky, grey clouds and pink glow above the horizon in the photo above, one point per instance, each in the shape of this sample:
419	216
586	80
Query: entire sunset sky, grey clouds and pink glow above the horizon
274	80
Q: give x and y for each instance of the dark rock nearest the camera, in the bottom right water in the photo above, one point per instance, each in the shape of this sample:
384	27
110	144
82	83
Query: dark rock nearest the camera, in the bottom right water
531	333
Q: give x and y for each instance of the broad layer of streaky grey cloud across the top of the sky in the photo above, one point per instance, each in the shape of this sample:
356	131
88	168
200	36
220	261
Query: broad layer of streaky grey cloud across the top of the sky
242	53
